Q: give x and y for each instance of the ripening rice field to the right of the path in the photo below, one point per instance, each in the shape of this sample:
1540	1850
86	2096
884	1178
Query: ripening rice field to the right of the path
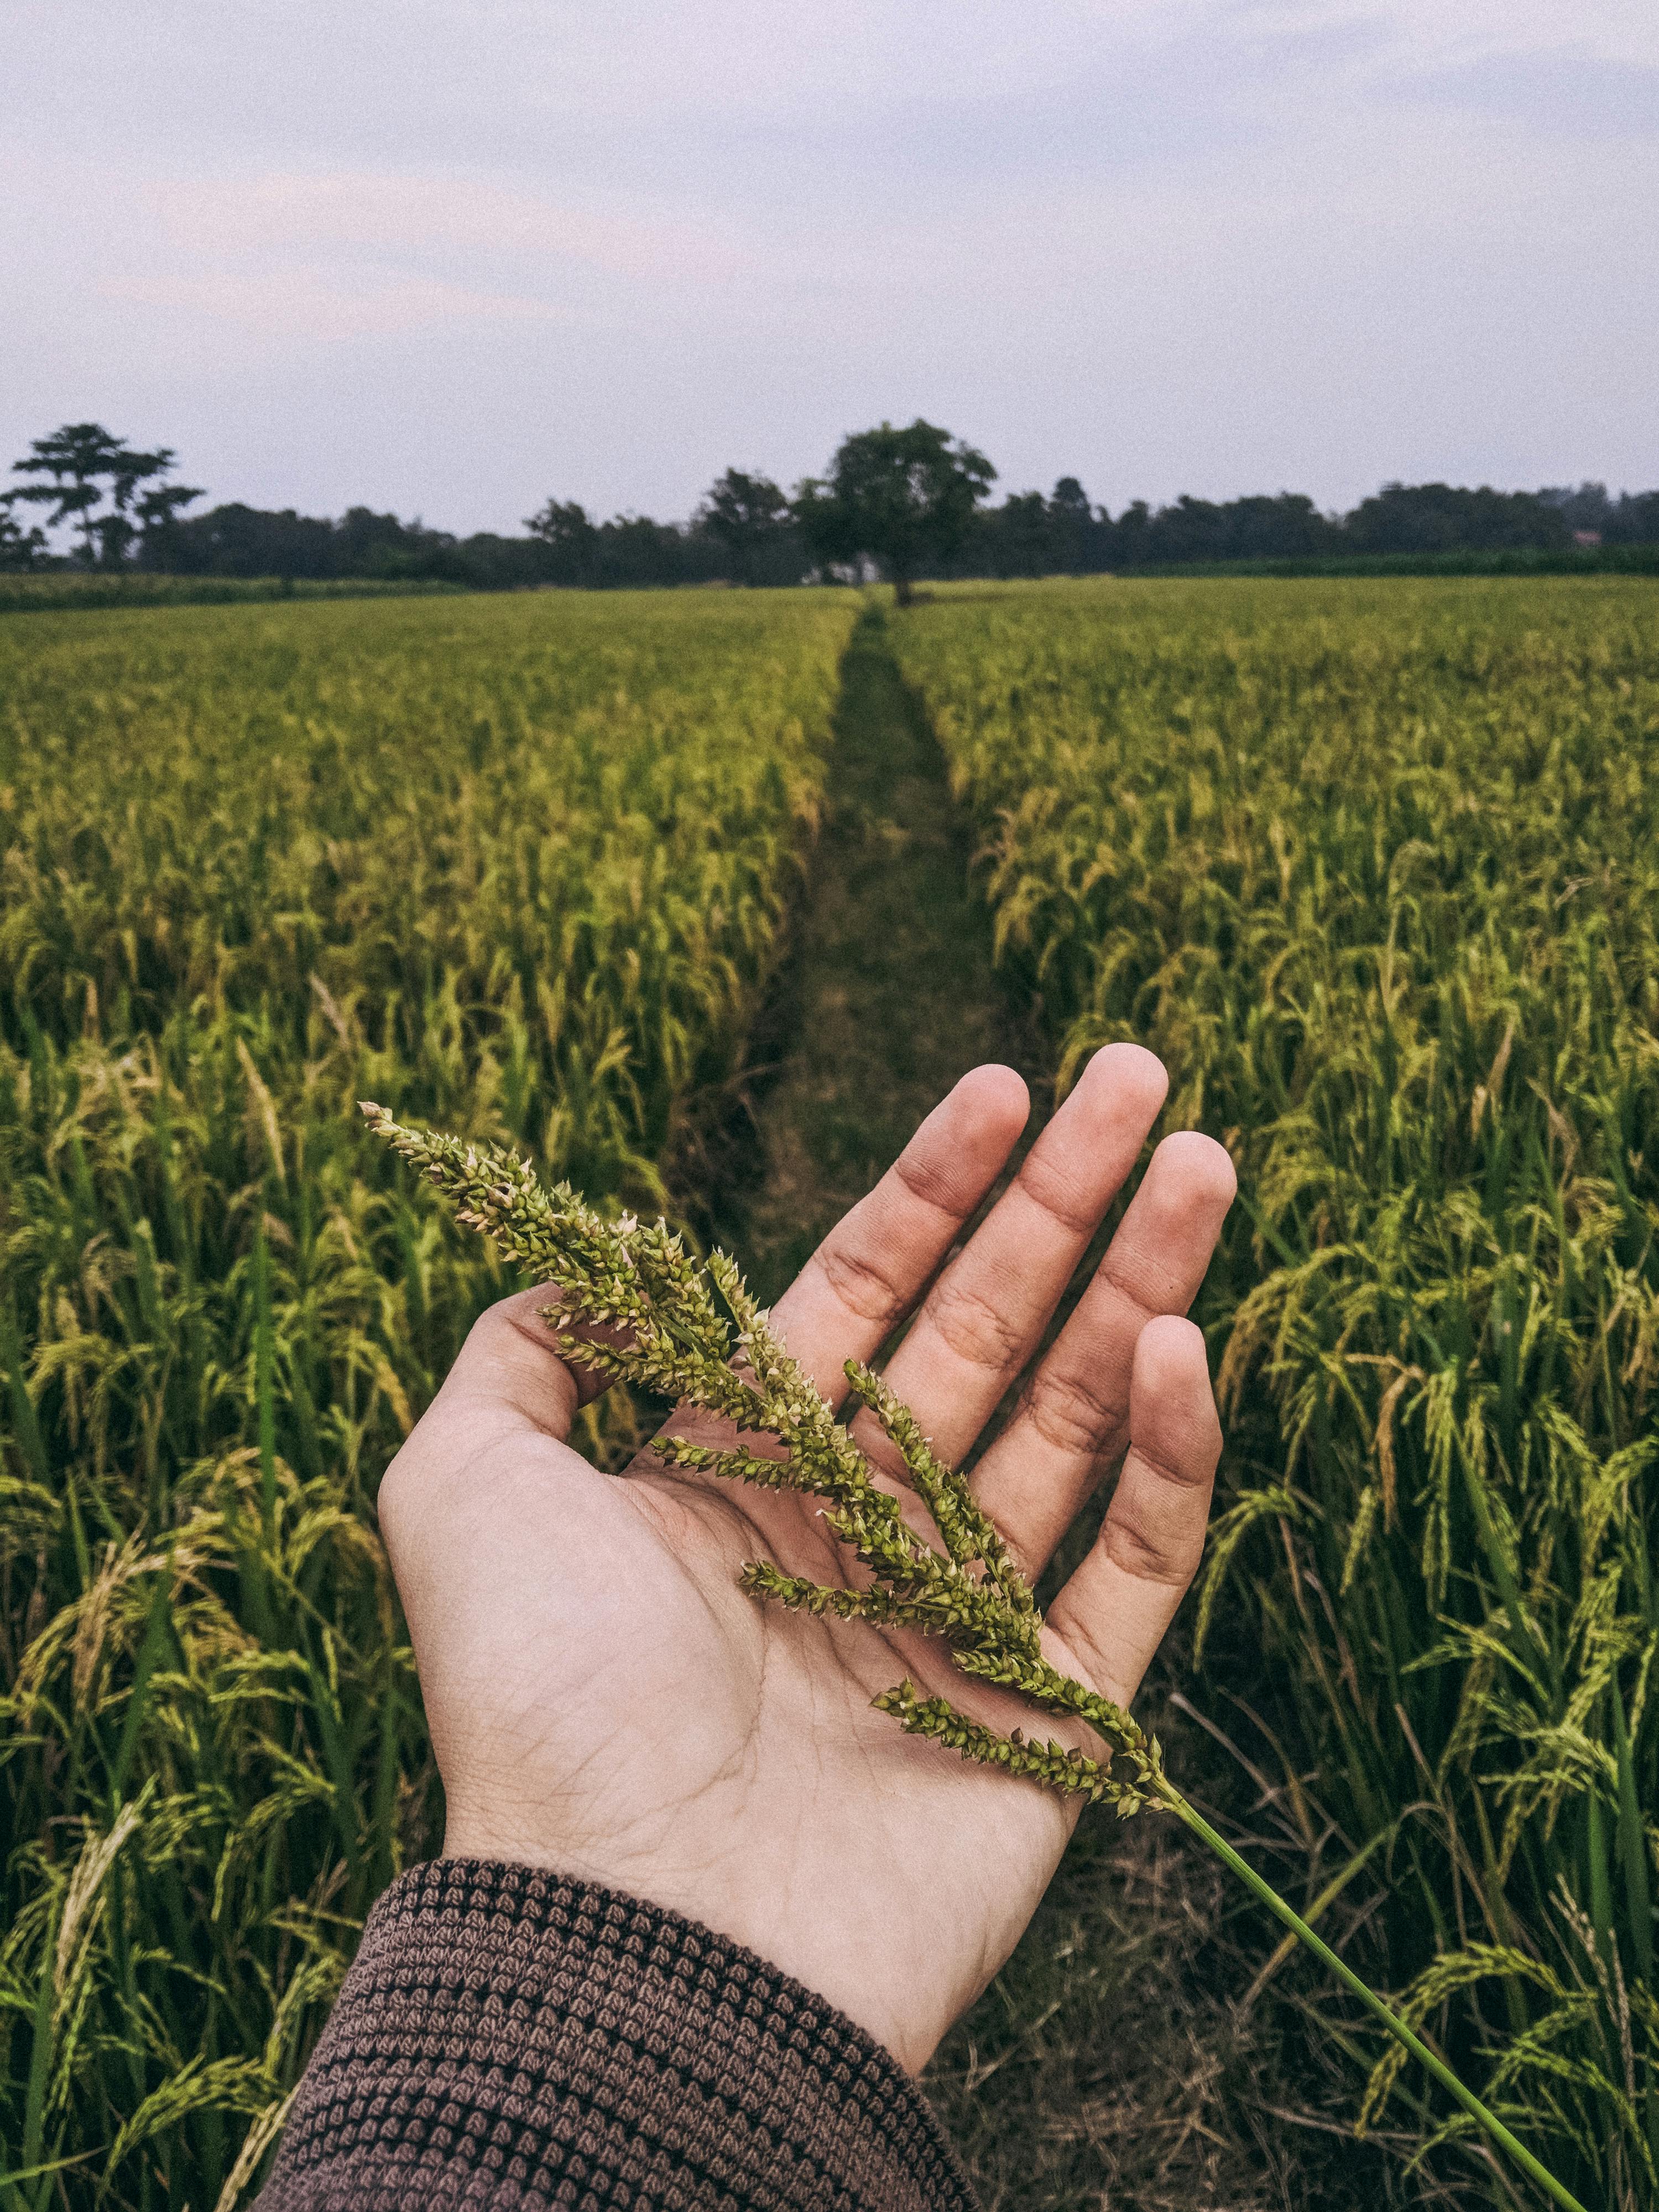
1377	870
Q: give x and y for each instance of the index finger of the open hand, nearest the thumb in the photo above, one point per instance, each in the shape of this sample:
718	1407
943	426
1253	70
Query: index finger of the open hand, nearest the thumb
879	1260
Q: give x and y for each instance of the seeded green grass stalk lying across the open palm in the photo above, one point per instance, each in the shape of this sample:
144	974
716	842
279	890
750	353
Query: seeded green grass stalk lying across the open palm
665	1328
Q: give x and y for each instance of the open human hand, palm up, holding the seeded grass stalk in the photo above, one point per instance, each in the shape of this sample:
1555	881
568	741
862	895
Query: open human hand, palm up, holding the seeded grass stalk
609	1704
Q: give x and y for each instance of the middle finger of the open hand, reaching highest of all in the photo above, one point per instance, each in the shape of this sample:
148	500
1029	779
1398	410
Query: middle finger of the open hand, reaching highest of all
988	1313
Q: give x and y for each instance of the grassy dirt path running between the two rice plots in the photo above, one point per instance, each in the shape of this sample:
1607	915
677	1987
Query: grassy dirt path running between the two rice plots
1105	2065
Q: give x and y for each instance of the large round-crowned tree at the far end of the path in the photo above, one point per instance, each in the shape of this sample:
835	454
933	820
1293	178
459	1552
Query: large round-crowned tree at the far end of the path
901	497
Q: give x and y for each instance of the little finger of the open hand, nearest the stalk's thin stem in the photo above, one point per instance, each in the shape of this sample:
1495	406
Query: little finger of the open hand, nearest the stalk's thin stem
1116	1609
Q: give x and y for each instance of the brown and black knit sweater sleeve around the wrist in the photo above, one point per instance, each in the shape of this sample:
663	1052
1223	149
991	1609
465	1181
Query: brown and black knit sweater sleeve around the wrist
514	2041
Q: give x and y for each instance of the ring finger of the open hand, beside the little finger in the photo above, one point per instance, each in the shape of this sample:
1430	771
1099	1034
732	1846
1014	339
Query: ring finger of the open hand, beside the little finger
1072	1423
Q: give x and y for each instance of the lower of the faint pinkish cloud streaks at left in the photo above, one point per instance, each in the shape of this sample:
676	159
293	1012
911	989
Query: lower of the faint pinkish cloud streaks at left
317	304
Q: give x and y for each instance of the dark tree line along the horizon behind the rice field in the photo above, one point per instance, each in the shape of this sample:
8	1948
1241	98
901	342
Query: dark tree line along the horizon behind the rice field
899	501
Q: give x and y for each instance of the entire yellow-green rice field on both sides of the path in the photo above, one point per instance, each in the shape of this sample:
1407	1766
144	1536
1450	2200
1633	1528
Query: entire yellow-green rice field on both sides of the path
1373	864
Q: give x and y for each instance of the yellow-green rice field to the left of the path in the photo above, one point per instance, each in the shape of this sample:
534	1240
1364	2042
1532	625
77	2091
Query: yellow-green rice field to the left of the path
512	866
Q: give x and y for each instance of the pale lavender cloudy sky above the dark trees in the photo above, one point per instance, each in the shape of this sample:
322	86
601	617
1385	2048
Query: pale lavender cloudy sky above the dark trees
455	258
